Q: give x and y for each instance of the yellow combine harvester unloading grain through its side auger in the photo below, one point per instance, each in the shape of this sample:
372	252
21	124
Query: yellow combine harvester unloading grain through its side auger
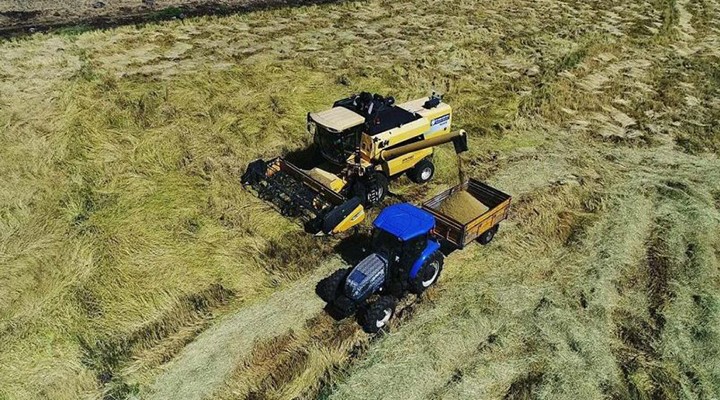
362	141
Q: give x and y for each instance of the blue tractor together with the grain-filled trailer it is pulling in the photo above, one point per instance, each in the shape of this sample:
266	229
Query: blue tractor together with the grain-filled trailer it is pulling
406	253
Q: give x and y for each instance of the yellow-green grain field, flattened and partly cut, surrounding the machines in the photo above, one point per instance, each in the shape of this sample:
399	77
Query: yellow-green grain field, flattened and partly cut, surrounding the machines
134	265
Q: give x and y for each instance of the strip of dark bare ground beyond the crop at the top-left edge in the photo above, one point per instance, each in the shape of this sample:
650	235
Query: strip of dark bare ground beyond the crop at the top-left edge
21	16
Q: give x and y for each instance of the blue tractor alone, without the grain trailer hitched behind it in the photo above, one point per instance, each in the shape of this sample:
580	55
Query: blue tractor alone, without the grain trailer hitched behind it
405	258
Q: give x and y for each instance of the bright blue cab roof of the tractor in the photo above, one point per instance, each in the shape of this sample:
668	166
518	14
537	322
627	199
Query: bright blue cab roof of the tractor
404	221
